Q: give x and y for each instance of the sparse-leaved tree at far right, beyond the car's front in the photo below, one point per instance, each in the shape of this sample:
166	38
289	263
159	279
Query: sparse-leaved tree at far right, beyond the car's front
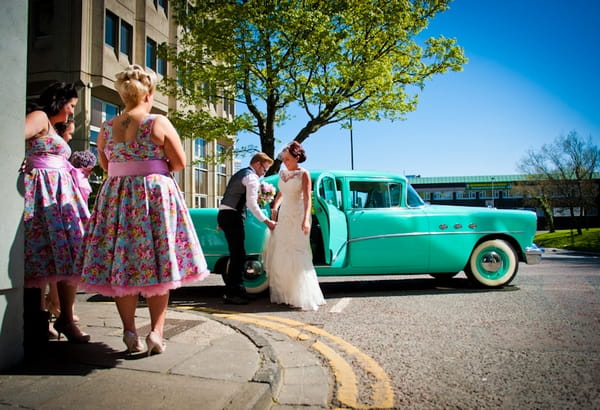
566	170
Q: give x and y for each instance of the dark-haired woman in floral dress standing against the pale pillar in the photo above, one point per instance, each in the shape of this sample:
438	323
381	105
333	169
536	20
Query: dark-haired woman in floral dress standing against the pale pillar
55	212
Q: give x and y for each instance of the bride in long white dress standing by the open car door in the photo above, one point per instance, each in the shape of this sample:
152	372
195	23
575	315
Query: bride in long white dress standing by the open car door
288	257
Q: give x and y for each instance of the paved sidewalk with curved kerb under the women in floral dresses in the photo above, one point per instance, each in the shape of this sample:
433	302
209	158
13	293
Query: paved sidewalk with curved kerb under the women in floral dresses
209	364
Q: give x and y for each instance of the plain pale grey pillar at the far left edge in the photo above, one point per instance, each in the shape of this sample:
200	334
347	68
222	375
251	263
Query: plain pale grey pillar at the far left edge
13	81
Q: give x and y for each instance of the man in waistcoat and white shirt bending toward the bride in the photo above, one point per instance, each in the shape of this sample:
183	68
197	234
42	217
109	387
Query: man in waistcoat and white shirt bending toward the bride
241	193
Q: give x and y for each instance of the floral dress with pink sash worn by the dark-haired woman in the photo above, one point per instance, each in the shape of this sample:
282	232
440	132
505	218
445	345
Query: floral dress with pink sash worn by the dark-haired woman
54	216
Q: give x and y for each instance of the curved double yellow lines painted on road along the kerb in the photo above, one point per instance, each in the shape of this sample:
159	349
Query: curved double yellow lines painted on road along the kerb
382	394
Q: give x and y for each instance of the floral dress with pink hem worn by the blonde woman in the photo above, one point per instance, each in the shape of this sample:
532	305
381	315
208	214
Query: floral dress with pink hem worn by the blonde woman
140	238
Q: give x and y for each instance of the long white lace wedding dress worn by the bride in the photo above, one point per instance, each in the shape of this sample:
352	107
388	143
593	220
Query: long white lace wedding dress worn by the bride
288	257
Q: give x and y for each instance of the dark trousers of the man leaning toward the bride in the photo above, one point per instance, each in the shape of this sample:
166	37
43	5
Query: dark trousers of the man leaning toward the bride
232	223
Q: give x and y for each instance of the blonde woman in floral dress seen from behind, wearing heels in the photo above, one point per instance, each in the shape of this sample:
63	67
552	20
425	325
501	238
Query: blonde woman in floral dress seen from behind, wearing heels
140	239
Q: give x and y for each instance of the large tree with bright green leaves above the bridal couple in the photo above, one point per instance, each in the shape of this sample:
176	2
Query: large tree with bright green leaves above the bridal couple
335	60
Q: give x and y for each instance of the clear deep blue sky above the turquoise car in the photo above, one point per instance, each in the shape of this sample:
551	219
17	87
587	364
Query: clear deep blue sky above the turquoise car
533	74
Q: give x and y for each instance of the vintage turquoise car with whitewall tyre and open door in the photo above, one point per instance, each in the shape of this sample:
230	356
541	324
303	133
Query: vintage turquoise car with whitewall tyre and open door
374	223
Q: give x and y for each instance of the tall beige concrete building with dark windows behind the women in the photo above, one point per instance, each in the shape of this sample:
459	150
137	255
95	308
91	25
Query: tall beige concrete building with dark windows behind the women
87	42
